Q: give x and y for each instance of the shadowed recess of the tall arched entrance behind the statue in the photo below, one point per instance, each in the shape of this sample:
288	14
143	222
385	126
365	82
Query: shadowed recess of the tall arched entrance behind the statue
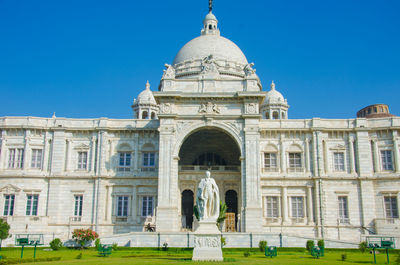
208	149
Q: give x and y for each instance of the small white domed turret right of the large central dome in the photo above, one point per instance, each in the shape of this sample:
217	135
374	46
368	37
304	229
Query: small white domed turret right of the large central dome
275	105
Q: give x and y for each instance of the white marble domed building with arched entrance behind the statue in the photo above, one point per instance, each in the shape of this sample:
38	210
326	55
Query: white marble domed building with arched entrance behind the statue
316	178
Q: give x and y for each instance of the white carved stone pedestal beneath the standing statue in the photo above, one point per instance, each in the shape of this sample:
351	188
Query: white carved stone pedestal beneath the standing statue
207	242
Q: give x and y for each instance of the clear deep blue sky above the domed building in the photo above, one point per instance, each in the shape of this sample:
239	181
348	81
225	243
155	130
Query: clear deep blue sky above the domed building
88	59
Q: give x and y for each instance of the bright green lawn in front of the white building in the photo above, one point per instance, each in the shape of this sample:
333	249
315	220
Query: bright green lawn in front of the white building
183	256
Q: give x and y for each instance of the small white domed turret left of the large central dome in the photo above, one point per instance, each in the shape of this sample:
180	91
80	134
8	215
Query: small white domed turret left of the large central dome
145	106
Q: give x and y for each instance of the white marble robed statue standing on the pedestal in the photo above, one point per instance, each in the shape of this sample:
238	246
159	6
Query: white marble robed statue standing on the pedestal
208	199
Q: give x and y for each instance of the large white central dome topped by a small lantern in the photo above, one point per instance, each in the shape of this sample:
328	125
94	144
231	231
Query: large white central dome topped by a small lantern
210	43
